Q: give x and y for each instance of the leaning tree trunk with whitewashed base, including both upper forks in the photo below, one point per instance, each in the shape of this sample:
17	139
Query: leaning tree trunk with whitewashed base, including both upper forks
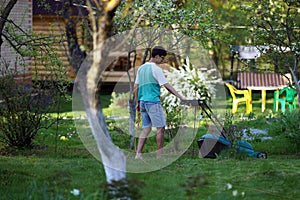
101	14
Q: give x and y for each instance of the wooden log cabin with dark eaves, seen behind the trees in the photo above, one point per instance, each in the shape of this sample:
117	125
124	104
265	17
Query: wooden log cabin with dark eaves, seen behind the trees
47	22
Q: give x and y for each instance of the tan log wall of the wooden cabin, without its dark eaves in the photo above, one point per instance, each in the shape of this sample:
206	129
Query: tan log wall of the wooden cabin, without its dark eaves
45	24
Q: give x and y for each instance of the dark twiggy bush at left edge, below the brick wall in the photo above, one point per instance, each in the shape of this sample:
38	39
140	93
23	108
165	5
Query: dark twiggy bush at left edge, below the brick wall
24	111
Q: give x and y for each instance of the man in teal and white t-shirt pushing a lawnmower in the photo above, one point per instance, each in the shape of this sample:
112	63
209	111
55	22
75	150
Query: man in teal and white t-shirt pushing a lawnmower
150	78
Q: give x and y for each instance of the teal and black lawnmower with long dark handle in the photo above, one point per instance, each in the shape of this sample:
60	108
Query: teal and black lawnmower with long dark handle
211	145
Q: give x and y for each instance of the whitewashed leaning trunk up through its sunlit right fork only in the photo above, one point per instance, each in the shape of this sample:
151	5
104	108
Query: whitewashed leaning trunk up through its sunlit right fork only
101	24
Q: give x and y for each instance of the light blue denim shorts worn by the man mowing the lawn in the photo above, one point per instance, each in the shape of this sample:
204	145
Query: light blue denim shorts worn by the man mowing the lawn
152	114
